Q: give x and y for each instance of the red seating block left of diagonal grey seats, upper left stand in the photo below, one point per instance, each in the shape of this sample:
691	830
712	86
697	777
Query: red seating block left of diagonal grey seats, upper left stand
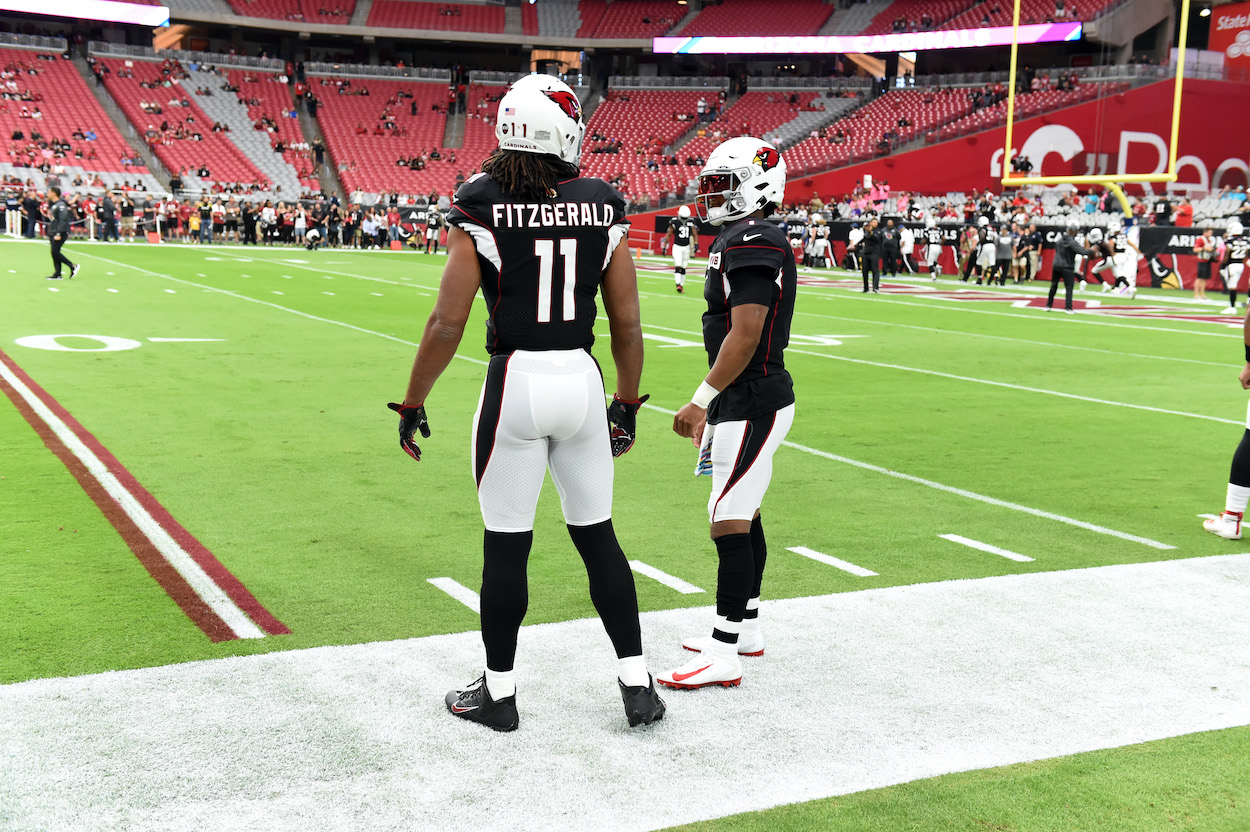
227	164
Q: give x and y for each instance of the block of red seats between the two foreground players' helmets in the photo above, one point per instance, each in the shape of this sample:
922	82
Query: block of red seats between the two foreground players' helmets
644	122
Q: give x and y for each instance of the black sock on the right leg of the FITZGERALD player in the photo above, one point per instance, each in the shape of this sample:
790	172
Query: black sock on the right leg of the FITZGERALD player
612	585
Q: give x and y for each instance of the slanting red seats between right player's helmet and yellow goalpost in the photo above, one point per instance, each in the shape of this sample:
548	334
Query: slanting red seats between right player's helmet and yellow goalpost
867	127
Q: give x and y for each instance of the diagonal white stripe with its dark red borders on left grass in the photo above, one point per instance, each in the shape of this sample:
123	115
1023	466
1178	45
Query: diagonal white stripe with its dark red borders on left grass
202	587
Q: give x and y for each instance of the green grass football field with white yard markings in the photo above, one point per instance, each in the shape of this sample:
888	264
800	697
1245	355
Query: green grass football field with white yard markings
943	434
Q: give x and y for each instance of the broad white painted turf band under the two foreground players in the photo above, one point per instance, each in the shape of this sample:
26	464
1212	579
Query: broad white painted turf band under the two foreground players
928	679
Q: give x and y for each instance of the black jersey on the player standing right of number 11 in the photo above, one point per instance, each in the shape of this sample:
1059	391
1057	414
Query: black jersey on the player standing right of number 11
752	263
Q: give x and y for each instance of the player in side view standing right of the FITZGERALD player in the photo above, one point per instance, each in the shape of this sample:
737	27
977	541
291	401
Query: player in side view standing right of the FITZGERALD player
744	408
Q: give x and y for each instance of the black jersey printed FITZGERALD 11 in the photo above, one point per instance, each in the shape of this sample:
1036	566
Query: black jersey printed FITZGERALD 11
542	263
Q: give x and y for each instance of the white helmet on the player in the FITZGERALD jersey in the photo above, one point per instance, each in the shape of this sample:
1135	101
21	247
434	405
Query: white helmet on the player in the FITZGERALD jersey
542	117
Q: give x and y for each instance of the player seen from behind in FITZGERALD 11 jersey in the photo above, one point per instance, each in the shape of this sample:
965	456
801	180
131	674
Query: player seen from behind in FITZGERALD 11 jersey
541	243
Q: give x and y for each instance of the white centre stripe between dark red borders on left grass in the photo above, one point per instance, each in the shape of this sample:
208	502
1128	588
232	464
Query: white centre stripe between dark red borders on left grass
206	588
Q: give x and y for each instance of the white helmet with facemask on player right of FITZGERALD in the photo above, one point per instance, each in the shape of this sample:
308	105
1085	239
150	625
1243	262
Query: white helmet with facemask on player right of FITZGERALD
742	177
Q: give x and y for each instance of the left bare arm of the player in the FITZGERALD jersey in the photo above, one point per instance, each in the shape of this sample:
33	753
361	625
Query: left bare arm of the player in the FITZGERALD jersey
447	324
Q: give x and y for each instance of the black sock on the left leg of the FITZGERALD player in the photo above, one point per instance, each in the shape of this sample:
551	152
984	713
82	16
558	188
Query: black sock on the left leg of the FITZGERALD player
504	595
